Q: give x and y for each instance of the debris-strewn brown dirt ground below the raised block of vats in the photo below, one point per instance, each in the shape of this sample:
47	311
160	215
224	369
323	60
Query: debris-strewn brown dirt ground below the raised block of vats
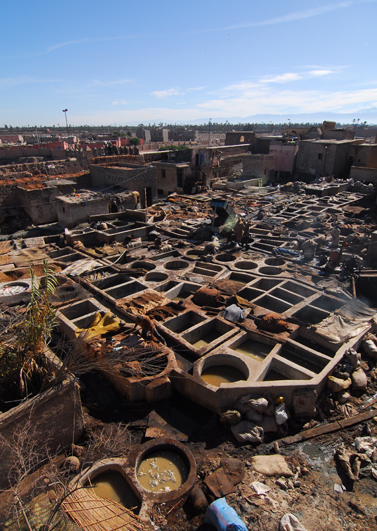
313	500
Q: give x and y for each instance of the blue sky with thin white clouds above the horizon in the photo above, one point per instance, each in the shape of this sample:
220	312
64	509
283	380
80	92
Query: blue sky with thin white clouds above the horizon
124	62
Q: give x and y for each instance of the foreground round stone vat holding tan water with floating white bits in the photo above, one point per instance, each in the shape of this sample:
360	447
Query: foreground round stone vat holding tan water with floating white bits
165	469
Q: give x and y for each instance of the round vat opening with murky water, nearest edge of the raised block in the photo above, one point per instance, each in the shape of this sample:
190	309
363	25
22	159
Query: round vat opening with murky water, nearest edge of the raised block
222	368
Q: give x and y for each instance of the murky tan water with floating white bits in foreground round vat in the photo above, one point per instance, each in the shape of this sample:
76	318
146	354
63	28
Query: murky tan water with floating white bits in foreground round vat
162	471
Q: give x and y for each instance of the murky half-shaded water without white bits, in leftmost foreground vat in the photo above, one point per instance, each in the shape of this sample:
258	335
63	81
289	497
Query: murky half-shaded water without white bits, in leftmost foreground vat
113	486
